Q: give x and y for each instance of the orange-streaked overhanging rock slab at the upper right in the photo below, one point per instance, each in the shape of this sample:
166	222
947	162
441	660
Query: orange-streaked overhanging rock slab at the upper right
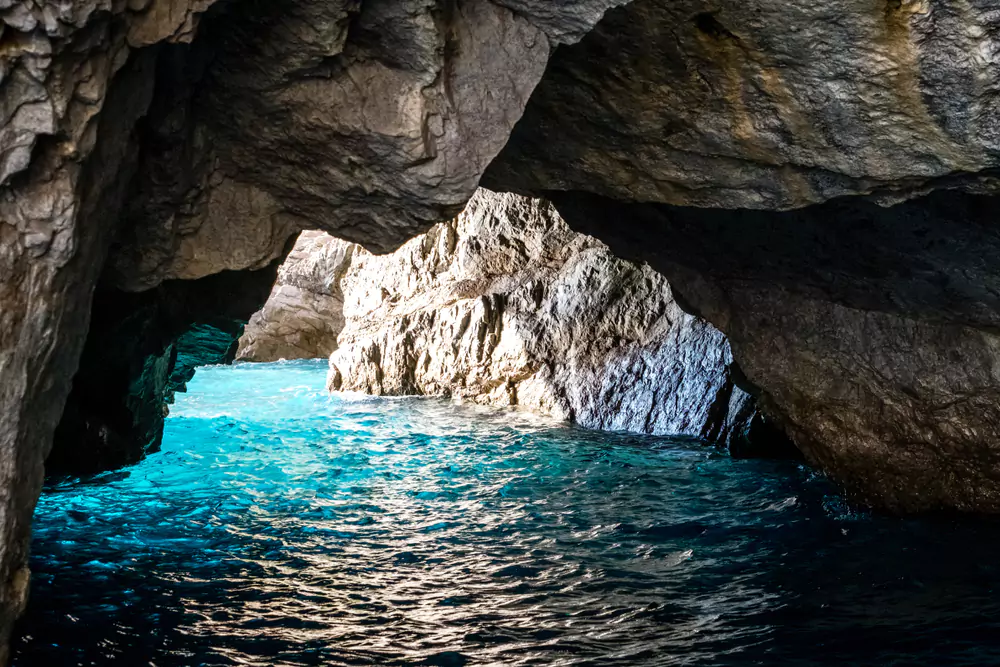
765	105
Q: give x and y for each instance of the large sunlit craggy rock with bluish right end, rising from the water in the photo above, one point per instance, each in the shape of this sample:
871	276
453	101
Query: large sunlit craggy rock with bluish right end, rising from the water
505	305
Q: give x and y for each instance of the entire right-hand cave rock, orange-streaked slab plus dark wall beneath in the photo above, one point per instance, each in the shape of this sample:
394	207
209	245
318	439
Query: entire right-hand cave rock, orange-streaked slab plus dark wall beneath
869	327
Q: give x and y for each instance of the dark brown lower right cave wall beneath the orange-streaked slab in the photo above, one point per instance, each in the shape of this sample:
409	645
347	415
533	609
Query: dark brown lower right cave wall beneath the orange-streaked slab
870	330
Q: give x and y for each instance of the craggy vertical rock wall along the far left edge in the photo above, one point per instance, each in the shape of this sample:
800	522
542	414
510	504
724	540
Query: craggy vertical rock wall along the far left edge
62	89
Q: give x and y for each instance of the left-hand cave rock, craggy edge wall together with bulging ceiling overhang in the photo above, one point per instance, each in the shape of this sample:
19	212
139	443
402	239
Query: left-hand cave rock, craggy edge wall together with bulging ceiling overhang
197	136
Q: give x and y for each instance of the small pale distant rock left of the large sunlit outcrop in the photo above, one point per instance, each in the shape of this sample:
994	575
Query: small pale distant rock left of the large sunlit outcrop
305	311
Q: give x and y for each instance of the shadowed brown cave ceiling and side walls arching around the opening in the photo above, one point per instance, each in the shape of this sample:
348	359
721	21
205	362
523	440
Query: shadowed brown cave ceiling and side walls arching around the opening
157	140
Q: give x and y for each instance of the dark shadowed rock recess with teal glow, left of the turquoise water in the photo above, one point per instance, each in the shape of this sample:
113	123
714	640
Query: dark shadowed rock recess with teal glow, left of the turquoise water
142	348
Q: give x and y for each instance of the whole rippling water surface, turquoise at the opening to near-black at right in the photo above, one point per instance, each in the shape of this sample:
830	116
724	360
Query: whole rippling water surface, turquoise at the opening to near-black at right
280	526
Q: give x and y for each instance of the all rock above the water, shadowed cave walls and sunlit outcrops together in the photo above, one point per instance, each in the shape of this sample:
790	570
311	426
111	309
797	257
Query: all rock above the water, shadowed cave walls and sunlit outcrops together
712	219
